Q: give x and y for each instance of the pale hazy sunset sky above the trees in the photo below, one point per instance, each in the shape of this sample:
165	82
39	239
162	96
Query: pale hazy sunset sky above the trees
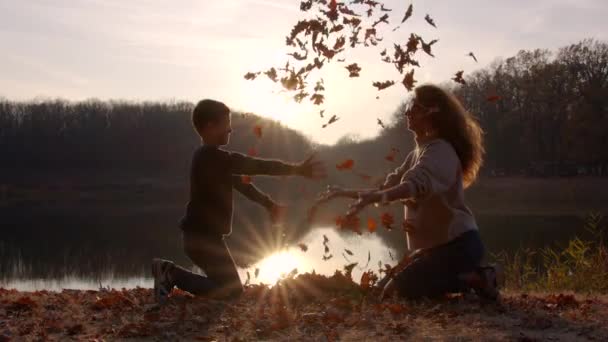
193	49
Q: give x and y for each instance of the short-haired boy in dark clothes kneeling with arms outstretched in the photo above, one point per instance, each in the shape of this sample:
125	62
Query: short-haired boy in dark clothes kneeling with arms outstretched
214	173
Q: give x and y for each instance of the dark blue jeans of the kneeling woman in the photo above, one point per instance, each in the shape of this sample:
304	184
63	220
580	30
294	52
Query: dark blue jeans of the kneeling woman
436	271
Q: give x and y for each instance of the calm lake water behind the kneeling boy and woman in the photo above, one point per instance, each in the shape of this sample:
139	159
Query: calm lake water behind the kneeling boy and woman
54	259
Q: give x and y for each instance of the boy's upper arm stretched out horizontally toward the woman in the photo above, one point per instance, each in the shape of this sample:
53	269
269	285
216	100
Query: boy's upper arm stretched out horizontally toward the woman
245	165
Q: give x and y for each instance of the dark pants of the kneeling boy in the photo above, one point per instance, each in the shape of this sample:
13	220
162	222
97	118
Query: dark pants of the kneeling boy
211	254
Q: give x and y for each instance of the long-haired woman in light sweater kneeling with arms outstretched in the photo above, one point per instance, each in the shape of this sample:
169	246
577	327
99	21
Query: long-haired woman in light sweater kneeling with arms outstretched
431	182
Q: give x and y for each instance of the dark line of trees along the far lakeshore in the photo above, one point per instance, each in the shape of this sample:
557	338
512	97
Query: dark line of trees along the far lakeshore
538	108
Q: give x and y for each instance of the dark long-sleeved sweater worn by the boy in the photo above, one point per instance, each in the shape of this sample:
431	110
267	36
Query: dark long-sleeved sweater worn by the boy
214	173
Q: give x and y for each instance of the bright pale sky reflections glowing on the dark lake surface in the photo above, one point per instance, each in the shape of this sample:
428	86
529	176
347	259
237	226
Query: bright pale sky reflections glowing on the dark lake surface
271	268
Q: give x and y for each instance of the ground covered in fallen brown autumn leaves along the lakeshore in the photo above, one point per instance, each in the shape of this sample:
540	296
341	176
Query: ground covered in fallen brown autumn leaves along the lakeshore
310	308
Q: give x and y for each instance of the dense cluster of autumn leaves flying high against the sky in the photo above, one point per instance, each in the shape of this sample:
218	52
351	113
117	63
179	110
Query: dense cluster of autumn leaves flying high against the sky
329	30
